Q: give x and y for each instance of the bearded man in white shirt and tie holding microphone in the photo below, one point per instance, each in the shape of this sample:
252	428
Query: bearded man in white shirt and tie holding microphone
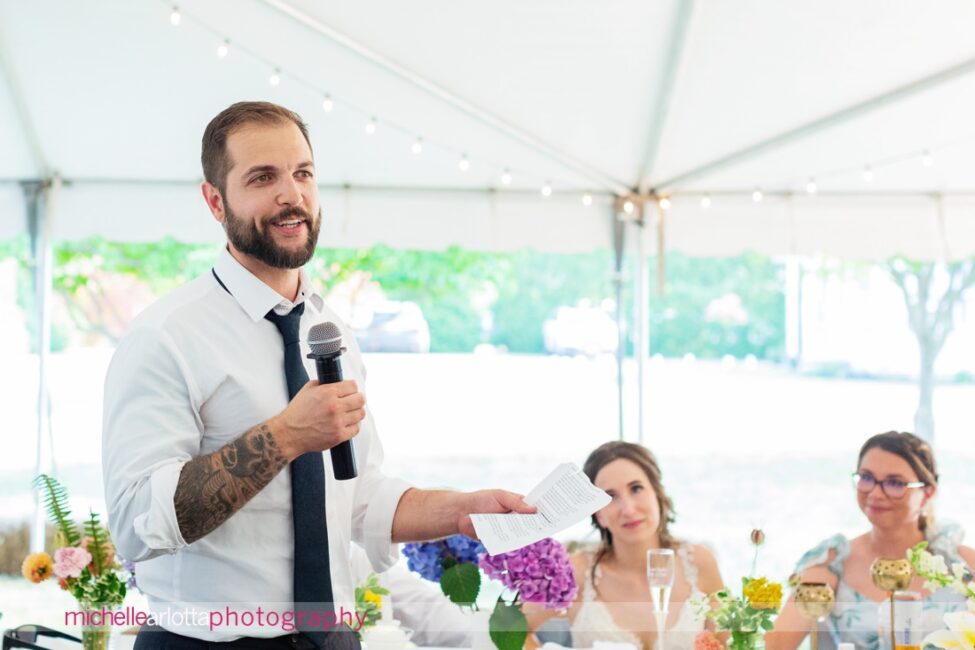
208	447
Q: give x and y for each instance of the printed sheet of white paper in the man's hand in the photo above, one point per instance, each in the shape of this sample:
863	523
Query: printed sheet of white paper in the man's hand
563	498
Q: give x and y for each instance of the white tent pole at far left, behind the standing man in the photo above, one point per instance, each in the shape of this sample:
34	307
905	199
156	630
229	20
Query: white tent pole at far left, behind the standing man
37	198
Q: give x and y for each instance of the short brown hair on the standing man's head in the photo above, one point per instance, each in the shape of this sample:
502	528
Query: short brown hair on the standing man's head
216	161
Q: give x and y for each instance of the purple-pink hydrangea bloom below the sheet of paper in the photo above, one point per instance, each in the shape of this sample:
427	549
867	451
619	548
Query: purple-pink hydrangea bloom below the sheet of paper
539	572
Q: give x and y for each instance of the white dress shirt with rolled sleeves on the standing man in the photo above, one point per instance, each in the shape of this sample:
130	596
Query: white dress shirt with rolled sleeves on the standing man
196	370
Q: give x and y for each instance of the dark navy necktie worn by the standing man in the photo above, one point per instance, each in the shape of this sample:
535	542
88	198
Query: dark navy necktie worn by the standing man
312	578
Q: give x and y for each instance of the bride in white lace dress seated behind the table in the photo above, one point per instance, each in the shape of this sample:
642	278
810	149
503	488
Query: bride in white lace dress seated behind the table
613	602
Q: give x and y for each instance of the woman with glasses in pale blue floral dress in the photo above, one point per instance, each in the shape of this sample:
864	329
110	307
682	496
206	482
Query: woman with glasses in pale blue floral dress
896	481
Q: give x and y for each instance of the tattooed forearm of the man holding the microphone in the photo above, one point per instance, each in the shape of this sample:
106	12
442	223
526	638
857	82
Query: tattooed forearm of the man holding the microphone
213	487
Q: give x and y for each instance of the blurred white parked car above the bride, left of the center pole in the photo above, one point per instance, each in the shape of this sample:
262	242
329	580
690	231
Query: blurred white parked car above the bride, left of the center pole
580	330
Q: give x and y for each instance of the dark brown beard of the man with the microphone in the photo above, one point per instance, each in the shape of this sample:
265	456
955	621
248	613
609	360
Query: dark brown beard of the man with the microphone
260	244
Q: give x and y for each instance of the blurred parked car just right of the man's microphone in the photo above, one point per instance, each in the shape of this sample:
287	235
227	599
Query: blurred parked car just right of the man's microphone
395	326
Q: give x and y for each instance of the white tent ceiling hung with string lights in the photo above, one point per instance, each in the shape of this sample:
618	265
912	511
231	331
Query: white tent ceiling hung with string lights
671	96
